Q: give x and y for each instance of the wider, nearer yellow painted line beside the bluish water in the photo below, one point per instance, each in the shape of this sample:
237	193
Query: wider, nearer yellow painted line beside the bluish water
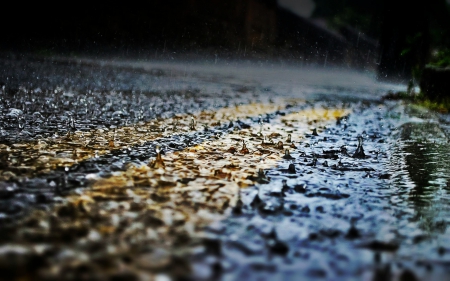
162	208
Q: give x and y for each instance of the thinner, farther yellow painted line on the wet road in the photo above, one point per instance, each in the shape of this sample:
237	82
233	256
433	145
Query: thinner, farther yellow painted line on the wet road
33	158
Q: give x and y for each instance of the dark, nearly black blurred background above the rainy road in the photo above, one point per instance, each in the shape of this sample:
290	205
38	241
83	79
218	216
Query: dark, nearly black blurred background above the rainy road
394	38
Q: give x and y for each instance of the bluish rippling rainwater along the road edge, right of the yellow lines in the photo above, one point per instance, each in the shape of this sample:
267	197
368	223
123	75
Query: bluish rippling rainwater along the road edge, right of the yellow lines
354	218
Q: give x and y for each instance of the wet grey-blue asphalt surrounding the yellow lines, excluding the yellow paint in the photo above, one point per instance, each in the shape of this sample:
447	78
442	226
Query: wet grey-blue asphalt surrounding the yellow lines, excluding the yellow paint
341	212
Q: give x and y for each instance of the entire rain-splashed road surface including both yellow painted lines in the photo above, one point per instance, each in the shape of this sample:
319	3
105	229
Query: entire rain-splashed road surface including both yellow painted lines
361	193
